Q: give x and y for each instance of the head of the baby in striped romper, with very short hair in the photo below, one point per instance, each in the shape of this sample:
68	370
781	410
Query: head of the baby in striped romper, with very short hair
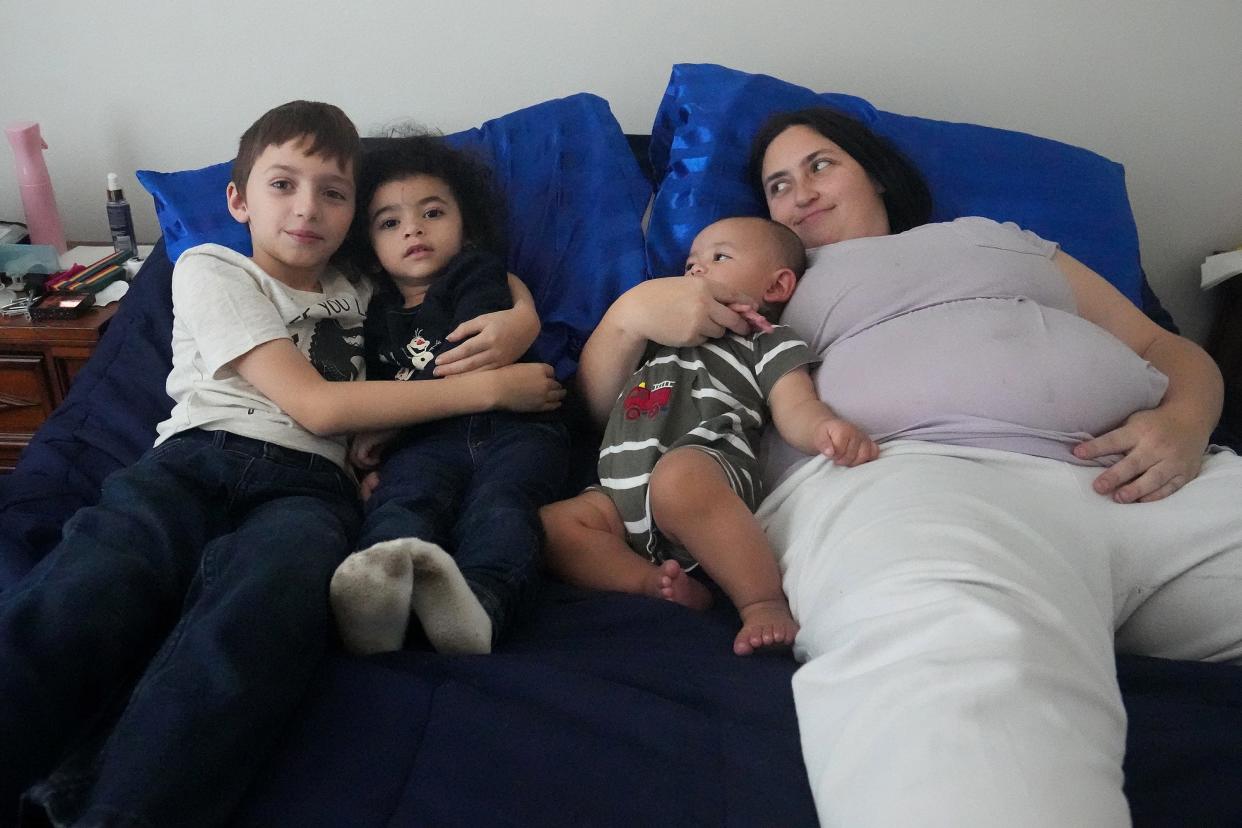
741	255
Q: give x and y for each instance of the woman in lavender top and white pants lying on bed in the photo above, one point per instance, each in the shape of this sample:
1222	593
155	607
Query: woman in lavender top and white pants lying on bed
962	596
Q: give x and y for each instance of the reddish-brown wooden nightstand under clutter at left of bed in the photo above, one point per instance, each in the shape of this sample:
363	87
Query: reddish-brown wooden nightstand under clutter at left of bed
38	364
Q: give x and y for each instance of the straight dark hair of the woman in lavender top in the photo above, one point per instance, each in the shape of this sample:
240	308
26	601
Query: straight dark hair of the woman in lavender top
906	194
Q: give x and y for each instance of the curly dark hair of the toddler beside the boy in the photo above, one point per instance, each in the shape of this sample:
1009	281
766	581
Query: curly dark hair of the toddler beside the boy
469	178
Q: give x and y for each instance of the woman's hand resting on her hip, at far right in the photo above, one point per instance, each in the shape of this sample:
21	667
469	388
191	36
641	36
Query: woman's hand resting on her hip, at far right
1162	455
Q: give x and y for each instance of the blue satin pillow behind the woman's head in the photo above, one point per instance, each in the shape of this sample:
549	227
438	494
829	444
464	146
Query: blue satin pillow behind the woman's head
702	135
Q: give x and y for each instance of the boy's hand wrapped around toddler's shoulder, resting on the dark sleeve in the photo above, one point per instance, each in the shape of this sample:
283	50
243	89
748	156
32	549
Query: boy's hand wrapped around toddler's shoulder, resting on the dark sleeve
494	340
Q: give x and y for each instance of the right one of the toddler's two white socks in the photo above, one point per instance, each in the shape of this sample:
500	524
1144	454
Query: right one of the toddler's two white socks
451	616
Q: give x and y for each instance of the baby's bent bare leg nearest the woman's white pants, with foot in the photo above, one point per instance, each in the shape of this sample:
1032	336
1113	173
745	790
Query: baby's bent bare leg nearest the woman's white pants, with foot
695	506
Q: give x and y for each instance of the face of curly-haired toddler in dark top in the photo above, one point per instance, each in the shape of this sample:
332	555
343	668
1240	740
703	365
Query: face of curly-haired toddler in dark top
415	227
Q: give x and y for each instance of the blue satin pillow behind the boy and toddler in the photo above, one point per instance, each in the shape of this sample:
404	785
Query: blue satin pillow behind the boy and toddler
576	203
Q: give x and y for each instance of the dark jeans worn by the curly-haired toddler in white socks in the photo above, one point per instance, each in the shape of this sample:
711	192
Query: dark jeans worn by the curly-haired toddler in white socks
474	486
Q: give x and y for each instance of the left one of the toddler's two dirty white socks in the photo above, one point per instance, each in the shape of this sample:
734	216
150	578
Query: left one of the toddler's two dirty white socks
371	598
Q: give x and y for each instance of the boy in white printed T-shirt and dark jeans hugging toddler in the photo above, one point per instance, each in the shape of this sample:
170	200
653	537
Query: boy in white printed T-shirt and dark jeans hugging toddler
203	572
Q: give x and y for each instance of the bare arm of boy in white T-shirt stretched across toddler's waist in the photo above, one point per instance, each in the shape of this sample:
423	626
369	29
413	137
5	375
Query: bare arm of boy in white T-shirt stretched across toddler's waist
279	371
